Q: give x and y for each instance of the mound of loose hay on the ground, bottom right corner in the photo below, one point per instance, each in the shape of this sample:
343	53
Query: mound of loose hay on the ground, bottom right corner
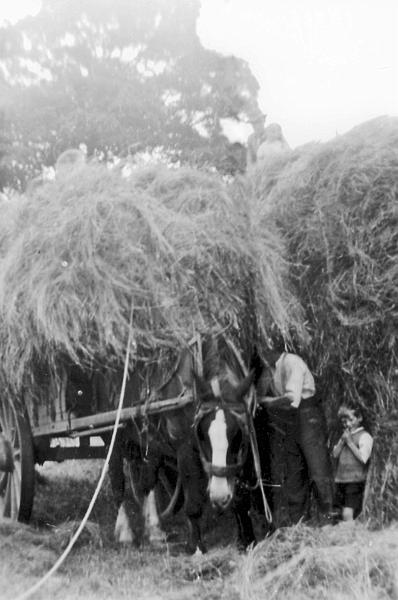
345	562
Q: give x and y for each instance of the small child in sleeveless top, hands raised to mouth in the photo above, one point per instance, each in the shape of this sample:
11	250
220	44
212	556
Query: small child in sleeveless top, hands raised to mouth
352	452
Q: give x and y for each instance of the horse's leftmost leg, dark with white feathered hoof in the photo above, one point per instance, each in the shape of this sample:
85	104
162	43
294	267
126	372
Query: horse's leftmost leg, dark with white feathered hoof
123	531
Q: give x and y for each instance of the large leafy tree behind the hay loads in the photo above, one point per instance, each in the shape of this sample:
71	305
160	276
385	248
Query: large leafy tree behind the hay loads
110	73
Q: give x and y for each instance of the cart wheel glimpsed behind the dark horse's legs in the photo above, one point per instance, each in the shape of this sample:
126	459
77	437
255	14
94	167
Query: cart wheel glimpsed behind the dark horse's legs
168	490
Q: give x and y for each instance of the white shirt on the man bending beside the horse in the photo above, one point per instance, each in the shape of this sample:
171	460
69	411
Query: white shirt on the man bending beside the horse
292	378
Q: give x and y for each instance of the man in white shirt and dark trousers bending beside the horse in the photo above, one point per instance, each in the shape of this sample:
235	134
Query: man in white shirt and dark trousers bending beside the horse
297	438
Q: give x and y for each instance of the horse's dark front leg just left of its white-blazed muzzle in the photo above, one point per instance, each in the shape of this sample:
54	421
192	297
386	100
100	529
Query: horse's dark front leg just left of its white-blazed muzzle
194	485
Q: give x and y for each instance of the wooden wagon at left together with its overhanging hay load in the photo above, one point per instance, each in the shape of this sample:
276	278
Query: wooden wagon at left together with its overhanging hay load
178	246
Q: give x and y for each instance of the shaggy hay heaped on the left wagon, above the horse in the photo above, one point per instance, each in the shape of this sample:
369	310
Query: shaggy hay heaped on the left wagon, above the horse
171	244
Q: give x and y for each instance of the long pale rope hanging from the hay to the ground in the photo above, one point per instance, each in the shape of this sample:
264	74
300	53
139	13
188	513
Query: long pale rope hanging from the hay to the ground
77	533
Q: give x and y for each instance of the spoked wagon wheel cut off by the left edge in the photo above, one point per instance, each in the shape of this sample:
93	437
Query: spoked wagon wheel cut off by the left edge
17	469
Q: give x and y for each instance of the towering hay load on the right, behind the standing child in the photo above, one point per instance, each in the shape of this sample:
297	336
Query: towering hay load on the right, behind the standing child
336	205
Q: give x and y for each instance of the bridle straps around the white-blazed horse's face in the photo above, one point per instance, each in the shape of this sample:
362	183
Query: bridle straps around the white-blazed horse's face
238	411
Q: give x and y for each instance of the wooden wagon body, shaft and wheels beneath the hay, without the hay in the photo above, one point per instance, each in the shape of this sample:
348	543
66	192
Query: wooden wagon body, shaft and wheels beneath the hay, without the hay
73	418
